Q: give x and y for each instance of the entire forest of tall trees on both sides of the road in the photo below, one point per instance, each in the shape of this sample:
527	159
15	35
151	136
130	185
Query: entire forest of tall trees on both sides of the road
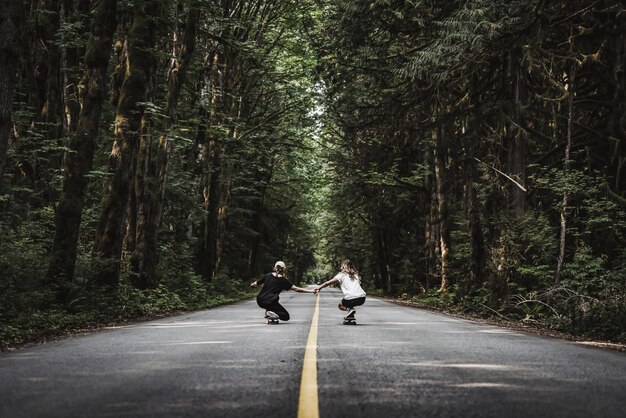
157	156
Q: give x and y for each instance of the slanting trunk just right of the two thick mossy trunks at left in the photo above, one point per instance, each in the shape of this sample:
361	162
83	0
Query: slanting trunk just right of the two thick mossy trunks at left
151	183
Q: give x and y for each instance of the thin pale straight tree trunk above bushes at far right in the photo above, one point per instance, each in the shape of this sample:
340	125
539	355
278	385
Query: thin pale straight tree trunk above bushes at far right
566	164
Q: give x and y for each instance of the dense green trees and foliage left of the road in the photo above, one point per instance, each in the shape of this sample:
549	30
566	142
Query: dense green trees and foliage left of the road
194	149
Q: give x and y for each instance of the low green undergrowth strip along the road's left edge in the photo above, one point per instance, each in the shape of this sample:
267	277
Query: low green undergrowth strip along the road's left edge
98	309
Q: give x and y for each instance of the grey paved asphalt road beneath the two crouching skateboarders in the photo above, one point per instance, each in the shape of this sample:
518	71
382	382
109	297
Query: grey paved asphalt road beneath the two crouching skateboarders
398	362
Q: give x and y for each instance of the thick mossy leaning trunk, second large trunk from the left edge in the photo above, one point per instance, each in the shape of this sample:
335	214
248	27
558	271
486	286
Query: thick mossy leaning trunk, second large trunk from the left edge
79	161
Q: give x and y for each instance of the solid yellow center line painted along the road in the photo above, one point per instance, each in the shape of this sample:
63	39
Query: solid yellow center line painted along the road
308	405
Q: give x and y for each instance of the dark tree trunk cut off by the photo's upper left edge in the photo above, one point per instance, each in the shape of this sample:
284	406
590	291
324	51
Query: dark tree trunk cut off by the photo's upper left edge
11	20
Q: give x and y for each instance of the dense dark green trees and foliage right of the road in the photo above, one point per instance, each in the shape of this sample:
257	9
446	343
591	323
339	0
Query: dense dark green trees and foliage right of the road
478	152
